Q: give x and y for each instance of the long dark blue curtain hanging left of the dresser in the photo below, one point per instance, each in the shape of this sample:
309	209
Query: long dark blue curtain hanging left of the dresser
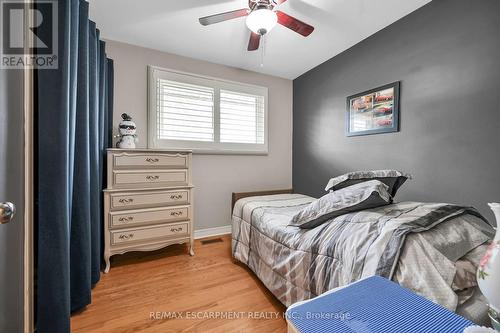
74	118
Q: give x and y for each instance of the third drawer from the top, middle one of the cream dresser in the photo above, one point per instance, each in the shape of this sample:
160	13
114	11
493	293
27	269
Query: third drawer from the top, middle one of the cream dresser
148	199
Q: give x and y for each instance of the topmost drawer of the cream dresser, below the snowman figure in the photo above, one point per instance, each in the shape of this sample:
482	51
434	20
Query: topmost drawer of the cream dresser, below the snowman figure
152	160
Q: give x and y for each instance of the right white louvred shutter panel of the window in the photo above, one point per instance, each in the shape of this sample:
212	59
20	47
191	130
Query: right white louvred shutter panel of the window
241	117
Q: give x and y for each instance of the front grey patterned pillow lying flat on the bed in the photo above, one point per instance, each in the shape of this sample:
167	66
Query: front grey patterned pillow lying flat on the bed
361	196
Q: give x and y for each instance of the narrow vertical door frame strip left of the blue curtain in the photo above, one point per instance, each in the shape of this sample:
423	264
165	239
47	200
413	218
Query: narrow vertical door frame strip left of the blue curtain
28	168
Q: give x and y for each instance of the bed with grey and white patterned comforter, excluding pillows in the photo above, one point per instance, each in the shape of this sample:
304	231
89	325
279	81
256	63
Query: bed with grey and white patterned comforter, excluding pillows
432	249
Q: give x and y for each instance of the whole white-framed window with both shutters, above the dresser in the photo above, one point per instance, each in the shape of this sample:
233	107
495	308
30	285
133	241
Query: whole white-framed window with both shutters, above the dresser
206	115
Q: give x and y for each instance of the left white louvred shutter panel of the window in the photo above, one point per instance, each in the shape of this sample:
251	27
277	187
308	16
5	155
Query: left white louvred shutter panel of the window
184	111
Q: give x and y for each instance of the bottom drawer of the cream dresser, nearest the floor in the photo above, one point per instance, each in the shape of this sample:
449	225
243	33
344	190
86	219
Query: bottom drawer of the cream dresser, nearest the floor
149	234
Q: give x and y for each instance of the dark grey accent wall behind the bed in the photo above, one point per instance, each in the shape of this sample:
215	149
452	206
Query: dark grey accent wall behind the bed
447	57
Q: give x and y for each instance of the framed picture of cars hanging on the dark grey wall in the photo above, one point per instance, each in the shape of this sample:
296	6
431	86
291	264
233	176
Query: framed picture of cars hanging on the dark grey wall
374	111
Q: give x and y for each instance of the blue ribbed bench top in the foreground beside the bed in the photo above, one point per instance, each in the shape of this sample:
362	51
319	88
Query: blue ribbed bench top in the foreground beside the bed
374	305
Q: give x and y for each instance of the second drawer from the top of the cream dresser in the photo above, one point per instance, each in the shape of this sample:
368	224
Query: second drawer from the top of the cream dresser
153	178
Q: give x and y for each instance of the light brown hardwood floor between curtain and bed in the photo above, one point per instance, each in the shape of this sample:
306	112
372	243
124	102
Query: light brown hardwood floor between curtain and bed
144	285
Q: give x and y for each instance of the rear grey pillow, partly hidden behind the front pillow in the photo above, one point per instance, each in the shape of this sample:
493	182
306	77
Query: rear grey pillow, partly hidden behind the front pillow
392	178
